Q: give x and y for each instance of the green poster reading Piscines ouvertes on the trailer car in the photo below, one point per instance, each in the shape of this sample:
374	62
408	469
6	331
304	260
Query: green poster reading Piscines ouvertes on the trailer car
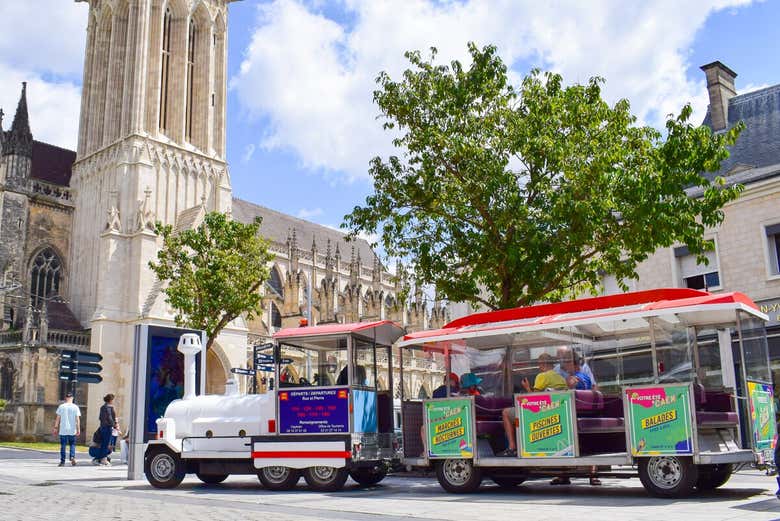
546	422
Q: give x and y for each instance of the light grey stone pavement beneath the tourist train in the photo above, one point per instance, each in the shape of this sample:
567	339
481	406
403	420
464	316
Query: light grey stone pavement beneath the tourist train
32	487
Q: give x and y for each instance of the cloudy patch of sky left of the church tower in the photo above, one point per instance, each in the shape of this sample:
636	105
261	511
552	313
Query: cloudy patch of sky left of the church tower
47	51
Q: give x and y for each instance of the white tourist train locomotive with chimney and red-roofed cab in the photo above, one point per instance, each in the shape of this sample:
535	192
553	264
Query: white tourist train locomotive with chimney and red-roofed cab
329	416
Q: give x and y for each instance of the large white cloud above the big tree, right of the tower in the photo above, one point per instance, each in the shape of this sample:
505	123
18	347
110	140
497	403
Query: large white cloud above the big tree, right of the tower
313	78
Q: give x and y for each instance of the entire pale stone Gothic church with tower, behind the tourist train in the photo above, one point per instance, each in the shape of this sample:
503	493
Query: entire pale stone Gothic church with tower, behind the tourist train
77	228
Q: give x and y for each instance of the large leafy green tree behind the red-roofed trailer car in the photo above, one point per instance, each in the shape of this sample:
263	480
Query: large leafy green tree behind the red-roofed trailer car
507	196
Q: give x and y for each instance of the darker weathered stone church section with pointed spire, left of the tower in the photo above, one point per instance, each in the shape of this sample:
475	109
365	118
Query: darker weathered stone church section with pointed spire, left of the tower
36	212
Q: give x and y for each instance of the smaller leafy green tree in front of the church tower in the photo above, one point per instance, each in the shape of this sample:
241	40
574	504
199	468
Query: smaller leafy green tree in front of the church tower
213	272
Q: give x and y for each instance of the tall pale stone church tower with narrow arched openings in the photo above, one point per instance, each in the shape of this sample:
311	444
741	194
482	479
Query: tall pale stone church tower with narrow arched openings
151	147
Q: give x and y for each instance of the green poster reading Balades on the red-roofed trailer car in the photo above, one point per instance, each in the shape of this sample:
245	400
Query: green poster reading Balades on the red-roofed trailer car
660	420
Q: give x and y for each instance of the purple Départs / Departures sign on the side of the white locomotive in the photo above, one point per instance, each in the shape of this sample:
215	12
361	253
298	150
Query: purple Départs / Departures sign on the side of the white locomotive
314	411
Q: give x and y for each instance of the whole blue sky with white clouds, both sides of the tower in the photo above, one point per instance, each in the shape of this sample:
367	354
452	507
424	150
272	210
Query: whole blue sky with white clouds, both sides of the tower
301	125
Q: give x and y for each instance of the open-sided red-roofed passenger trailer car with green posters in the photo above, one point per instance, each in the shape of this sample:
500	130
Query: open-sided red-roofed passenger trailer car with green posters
672	385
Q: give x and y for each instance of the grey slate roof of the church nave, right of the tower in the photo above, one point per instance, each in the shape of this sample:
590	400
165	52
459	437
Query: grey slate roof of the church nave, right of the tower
278	226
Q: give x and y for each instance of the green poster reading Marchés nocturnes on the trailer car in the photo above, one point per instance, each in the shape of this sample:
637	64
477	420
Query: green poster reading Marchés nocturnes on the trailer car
449	428
